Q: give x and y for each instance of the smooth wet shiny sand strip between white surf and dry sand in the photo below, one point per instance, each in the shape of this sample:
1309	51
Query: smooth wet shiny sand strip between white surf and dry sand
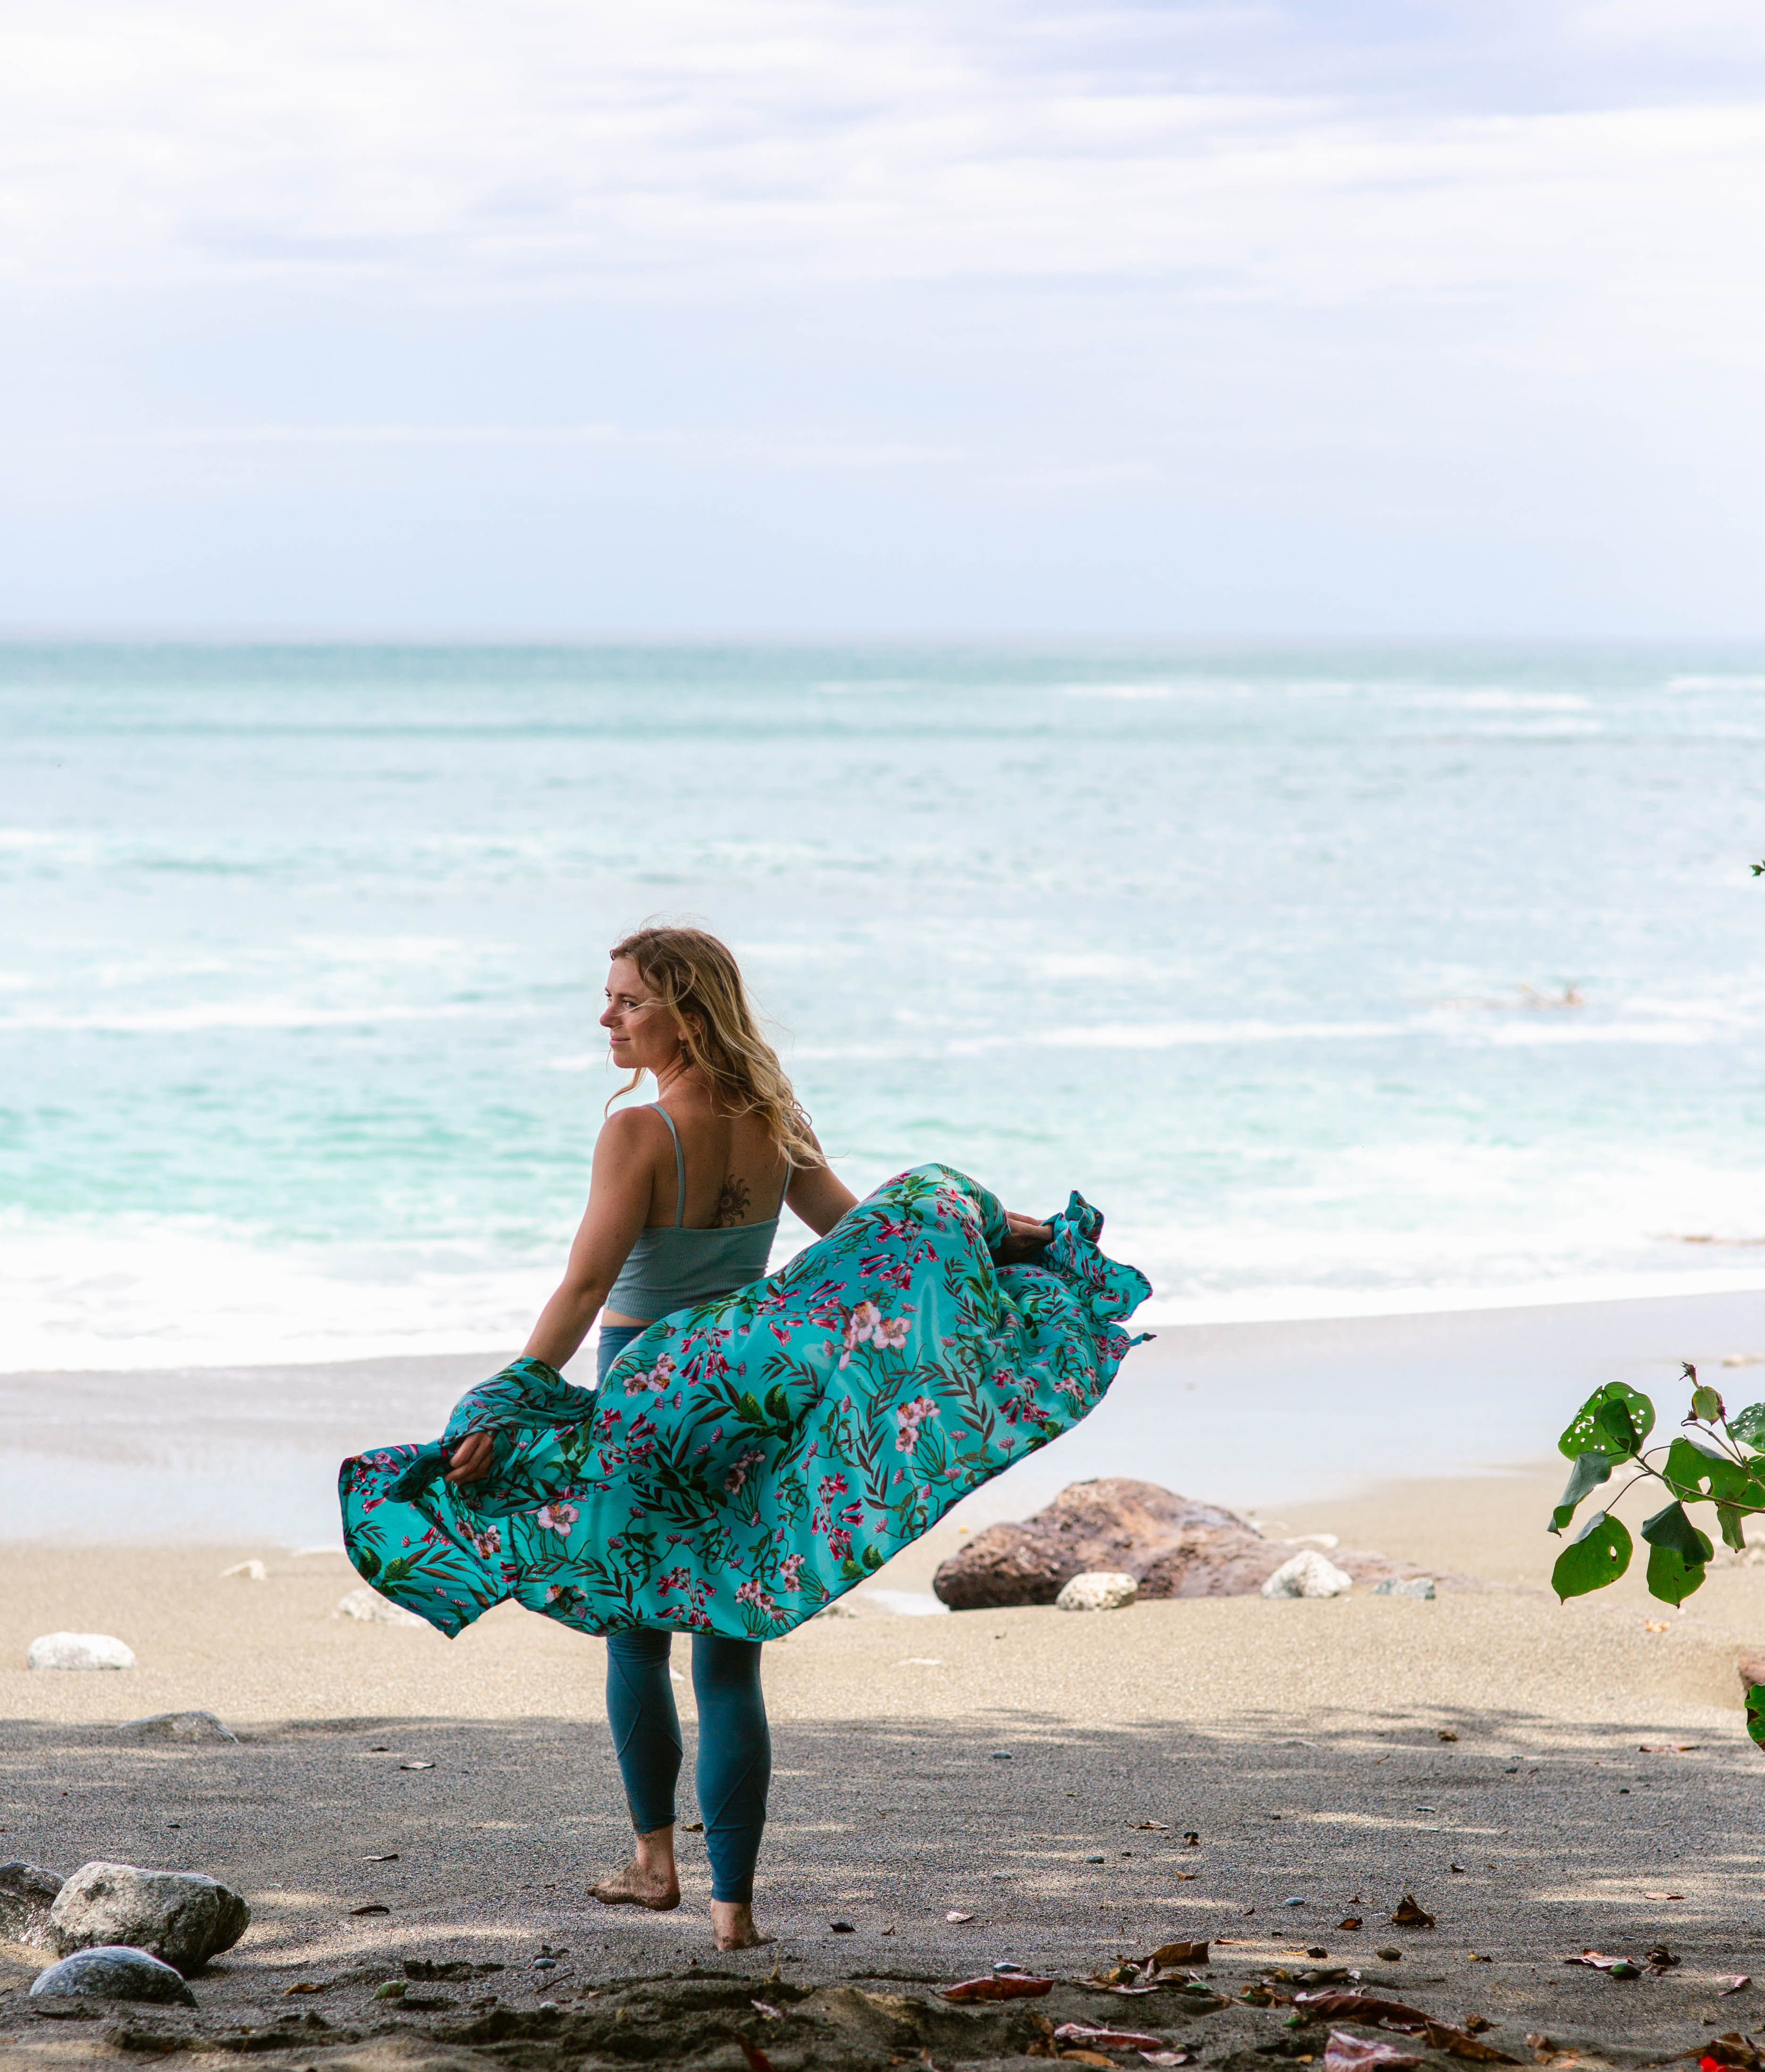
1240	1414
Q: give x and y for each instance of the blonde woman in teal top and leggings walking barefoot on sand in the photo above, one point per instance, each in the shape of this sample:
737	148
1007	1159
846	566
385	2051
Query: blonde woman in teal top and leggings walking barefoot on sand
683	1207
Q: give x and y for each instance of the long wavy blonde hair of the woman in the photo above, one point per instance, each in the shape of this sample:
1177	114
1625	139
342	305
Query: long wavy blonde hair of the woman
699	983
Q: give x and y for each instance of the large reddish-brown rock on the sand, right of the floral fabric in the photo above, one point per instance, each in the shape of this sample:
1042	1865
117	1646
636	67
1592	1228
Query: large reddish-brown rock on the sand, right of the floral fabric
1169	1545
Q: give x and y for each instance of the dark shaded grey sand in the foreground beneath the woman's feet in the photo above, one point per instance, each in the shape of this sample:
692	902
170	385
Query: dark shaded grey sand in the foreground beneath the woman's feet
890	1826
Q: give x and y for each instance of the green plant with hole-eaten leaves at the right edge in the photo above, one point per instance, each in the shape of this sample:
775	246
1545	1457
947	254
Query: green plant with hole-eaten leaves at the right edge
1712	1460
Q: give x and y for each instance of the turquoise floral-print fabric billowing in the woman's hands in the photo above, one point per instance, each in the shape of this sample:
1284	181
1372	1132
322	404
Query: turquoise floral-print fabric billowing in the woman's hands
755	1458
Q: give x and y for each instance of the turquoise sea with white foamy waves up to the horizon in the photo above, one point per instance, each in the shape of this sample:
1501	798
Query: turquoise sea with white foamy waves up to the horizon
1271	952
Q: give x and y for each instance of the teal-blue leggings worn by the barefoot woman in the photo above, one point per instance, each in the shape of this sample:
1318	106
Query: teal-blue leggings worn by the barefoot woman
734	1746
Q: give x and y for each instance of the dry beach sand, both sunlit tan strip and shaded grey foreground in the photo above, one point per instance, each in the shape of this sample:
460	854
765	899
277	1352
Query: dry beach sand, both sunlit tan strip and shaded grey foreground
1300	1742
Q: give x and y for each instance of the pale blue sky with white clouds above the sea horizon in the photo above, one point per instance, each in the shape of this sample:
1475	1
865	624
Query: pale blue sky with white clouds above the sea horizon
803	318
